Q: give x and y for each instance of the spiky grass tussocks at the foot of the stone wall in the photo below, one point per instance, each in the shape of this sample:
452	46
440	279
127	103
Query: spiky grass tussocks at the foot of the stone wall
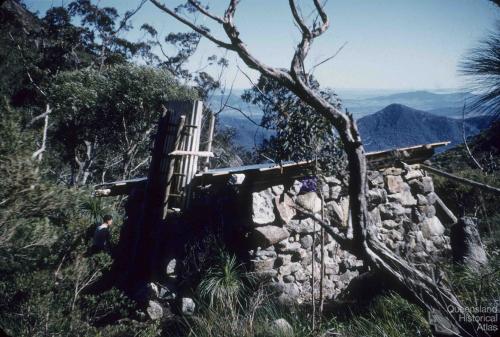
230	303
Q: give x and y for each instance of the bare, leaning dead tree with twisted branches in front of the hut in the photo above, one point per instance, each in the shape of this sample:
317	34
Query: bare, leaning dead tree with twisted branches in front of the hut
400	275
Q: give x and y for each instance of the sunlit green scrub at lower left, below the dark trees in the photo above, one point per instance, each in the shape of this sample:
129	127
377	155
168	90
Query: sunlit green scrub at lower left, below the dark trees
45	269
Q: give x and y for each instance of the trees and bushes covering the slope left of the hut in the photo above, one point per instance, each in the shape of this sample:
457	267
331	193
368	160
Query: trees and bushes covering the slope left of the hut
76	110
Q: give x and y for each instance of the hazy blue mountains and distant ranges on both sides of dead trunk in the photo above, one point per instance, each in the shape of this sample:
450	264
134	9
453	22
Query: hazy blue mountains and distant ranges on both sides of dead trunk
403	119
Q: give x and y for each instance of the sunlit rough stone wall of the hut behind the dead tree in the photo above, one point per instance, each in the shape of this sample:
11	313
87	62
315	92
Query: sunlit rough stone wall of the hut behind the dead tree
284	247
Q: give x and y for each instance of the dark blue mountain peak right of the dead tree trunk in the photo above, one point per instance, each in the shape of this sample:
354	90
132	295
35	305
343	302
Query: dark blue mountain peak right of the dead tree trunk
398	125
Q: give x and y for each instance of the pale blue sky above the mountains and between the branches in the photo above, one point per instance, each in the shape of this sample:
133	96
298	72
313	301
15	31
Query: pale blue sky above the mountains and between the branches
391	44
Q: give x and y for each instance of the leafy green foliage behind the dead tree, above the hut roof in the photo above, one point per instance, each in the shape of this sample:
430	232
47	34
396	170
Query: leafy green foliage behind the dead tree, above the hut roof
301	133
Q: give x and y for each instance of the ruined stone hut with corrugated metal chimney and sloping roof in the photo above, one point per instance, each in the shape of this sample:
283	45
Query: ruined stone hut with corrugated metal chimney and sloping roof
256	208
